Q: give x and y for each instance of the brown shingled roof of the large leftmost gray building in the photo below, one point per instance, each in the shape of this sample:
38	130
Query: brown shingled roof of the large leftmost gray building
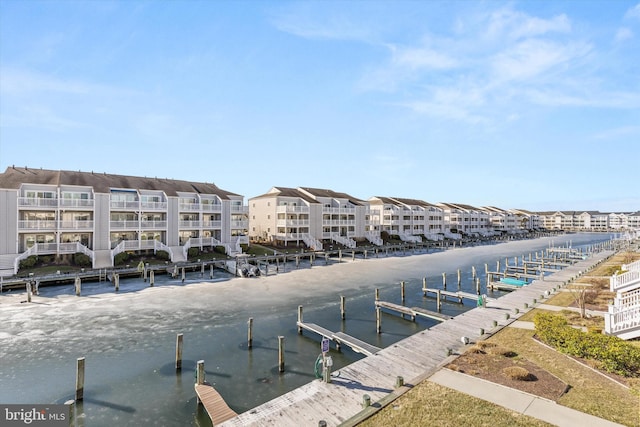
14	178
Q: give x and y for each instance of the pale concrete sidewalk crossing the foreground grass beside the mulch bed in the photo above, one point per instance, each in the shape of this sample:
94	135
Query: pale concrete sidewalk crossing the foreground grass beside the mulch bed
518	401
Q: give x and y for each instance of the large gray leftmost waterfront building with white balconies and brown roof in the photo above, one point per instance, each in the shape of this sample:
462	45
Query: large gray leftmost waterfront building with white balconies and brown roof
48	212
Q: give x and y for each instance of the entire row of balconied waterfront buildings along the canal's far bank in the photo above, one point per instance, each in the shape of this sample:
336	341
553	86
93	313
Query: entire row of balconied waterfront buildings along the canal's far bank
48	212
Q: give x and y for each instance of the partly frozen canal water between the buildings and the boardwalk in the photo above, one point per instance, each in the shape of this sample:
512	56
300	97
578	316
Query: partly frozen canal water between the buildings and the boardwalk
128	339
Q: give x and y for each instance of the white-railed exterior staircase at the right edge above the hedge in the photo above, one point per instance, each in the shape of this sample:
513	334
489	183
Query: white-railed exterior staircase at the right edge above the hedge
623	318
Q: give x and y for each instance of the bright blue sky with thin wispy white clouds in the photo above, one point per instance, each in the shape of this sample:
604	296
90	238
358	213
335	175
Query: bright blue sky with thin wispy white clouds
532	104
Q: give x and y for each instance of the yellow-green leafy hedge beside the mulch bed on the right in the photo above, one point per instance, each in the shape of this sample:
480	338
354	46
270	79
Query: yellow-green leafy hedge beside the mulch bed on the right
611	353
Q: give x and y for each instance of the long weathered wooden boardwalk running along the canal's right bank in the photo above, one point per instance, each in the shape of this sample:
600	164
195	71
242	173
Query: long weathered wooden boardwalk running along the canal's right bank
414	359
